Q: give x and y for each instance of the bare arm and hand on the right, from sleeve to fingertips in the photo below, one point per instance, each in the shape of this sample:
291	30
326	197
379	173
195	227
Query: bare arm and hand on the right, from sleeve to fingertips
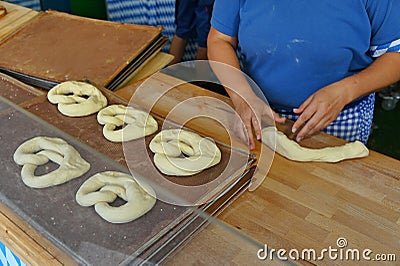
322	107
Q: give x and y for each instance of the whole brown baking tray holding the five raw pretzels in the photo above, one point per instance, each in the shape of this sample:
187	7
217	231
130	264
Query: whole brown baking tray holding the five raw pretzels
162	224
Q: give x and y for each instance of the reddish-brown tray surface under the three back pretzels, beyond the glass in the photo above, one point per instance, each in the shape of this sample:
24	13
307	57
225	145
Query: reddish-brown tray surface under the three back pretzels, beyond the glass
136	154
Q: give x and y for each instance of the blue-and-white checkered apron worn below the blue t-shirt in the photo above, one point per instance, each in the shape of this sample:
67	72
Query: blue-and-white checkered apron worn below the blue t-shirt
352	124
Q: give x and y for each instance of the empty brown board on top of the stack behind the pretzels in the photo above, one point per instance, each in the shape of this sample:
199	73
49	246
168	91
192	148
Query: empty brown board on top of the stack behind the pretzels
58	46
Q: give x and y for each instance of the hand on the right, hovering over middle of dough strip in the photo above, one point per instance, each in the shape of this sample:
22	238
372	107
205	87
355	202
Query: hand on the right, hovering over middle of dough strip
319	110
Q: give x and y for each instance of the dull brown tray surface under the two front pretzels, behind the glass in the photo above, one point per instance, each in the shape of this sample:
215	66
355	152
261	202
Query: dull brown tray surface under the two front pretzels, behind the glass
53	211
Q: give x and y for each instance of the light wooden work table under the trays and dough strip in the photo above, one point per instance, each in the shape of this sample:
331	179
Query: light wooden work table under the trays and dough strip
298	206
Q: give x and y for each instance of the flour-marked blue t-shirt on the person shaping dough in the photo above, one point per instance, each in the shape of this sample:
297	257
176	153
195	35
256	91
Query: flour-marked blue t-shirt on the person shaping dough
293	48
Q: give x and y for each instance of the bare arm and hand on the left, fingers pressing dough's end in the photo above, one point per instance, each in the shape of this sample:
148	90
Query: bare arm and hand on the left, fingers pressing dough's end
222	48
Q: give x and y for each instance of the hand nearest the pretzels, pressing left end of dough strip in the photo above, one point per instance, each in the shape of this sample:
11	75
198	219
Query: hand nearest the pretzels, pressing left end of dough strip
250	111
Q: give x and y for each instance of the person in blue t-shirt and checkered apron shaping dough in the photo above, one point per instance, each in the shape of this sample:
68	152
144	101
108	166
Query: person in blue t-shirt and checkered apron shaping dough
318	62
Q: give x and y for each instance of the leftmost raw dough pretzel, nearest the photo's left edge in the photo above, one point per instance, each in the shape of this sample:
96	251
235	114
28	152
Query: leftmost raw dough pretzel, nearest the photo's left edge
40	150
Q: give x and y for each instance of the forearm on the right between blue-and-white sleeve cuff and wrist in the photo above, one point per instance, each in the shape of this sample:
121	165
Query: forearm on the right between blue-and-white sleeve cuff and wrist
383	72
